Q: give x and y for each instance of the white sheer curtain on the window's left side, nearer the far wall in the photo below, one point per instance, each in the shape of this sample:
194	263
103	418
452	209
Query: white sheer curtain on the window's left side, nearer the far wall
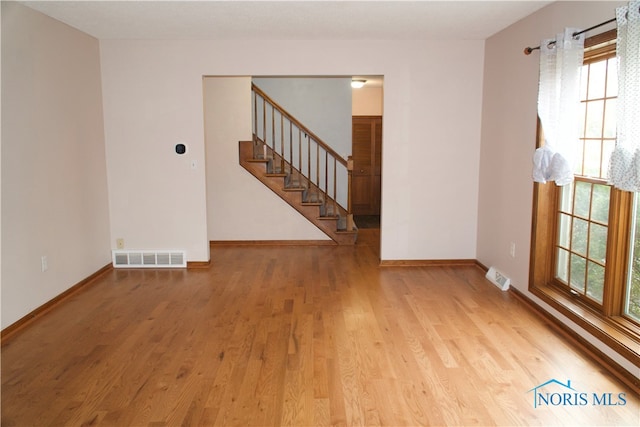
558	107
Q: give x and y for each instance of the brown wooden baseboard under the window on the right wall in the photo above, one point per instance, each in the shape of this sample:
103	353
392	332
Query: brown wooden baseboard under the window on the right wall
579	342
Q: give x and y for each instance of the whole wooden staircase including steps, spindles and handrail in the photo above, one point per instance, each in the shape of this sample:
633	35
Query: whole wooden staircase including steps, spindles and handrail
299	167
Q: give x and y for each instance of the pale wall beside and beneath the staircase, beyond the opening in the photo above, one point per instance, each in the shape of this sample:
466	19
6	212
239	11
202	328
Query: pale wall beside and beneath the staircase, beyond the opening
230	188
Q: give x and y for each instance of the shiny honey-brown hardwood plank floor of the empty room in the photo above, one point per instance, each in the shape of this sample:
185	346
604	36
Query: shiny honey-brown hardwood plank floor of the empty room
283	335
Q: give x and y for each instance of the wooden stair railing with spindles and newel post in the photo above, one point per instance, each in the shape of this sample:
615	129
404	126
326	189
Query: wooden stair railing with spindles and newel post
296	150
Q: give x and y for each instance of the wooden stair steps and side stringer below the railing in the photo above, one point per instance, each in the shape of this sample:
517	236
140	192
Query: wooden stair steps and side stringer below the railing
298	191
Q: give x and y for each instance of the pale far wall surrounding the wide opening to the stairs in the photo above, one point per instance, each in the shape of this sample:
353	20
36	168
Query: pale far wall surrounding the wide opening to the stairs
153	97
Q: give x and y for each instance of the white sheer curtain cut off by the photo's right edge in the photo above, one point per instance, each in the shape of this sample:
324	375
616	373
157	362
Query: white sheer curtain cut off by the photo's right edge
624	167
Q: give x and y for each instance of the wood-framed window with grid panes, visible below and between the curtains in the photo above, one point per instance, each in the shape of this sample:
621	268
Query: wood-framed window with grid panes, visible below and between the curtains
585	254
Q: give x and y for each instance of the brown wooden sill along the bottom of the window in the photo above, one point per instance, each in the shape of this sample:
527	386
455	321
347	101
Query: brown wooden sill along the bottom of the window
616	332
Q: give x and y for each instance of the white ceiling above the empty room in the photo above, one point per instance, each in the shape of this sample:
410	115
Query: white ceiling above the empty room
298	20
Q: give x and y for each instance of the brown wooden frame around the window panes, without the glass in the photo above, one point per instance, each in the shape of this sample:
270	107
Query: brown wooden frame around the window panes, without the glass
607	323
